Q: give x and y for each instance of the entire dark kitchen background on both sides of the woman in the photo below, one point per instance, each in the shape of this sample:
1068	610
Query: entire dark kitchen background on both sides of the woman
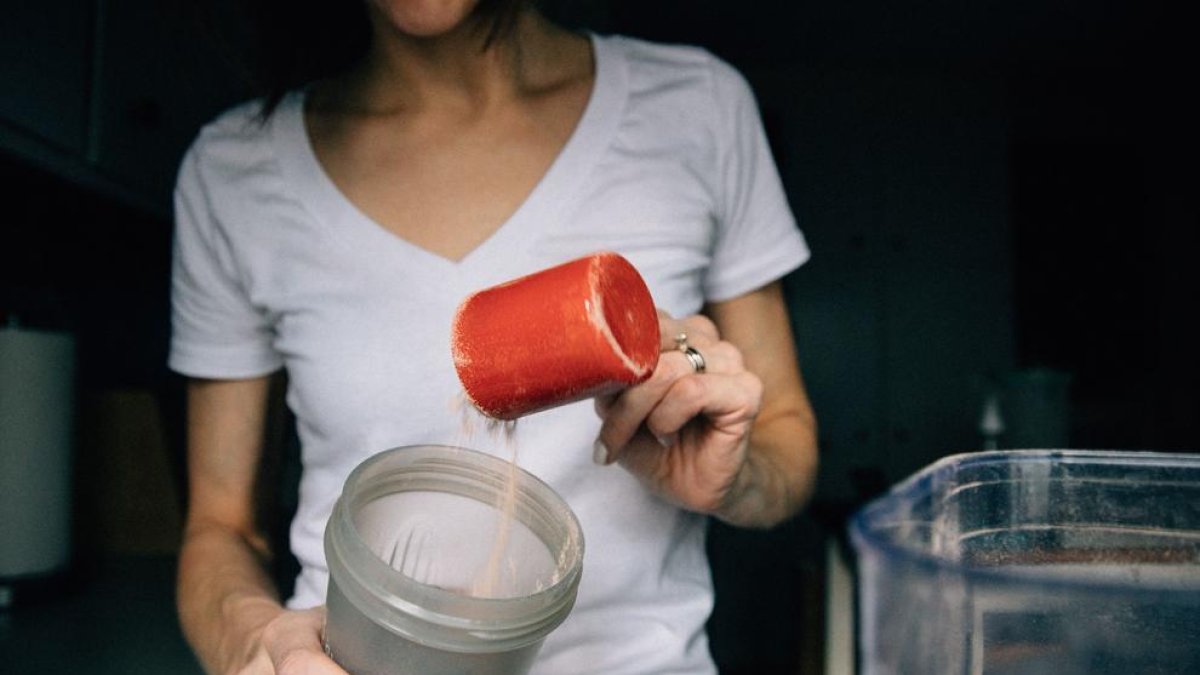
999	195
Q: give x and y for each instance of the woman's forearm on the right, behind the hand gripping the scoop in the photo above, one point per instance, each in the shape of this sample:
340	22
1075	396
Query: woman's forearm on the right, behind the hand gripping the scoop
779	475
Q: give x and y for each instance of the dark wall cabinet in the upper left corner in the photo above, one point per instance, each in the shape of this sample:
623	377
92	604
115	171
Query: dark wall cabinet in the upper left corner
110	94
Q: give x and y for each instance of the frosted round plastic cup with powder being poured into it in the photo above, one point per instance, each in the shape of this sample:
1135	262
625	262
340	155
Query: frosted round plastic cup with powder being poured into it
410	546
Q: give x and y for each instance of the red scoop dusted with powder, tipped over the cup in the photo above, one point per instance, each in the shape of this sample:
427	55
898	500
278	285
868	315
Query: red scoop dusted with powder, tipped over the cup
563	334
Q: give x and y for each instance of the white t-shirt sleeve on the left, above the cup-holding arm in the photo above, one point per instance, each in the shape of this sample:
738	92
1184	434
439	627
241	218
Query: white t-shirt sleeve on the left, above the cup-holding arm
217	331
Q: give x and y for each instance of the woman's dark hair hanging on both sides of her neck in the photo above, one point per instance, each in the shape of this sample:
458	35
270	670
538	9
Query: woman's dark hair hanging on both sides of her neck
296	44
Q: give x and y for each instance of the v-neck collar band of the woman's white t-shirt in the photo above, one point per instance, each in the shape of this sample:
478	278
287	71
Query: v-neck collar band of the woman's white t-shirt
325	201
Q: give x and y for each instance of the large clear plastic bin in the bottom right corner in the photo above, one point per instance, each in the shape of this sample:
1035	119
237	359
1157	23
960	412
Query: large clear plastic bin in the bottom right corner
1055	563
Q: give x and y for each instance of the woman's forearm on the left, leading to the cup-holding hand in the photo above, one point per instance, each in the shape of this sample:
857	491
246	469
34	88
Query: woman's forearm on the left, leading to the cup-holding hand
225	595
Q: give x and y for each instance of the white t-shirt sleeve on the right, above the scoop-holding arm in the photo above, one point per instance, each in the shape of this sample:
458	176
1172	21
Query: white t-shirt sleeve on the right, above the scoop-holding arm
758	238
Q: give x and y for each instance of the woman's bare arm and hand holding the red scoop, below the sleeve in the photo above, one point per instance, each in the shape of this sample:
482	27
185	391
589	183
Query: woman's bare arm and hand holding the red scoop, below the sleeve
737	441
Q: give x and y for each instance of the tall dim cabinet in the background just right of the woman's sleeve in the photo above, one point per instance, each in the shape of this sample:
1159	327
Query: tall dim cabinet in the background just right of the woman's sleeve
901	184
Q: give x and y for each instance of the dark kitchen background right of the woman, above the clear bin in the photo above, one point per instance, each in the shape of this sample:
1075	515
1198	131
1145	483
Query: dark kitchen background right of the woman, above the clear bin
1001	200
